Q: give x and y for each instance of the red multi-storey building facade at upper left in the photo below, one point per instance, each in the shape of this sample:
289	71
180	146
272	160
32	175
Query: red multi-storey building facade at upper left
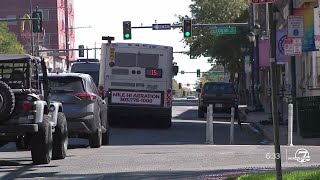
54	26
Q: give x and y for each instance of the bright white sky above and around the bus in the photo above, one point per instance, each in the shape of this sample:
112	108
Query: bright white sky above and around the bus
105	18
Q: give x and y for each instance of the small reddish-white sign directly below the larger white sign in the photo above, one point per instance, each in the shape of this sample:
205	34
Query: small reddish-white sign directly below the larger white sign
292	46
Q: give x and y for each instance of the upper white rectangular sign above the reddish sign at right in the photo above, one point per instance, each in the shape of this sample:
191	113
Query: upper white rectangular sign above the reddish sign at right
295	26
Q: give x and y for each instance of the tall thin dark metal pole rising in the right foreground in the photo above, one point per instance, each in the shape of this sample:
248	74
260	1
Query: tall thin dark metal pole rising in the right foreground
271	25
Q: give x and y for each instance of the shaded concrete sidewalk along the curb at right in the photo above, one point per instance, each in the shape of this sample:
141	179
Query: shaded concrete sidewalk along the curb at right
254	118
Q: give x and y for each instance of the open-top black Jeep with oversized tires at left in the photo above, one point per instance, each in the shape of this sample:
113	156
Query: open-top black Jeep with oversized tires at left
27	116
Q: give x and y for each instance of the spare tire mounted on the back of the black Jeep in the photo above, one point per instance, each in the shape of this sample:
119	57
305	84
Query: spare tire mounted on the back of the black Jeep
7	101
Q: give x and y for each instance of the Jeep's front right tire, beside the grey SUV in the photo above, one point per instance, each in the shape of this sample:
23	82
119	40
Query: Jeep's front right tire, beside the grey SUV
60	138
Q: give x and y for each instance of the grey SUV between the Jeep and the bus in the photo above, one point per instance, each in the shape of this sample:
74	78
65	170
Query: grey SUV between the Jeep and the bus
85	110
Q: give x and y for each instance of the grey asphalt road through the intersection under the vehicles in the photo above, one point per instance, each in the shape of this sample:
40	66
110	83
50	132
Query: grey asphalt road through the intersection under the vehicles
176	153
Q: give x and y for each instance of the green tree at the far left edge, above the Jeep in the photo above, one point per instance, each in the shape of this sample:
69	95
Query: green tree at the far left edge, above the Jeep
8	41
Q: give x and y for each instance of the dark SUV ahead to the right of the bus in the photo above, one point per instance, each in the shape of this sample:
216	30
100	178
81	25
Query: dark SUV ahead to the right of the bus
221	95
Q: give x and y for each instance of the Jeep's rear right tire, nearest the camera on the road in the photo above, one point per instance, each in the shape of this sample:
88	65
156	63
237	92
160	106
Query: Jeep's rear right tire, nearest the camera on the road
41	147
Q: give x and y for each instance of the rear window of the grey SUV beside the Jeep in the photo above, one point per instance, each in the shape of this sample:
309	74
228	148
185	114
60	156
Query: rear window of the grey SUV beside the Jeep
72	84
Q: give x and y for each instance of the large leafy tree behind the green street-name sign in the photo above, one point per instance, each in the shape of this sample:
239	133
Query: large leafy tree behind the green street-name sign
226	49
